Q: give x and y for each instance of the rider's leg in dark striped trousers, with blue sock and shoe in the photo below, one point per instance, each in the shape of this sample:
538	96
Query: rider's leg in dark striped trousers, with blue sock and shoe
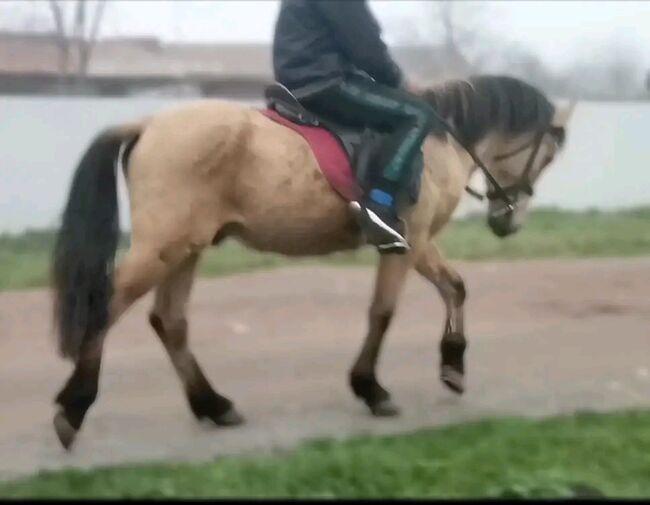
365	103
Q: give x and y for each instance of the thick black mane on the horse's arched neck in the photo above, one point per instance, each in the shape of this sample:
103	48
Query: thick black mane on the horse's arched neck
483	104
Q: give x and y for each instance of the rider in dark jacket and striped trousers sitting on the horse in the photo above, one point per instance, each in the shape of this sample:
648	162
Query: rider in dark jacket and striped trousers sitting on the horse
330	55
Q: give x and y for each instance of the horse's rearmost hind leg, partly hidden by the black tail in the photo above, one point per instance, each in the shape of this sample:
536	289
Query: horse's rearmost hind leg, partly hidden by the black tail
141	269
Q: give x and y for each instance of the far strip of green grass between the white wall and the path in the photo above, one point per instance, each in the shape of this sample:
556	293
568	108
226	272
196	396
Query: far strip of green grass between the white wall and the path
24	259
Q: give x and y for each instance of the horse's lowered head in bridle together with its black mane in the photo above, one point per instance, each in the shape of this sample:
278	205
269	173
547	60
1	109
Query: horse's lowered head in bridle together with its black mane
515	128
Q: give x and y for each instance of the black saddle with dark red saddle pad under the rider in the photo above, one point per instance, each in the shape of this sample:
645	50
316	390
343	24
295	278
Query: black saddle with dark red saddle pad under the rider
359	148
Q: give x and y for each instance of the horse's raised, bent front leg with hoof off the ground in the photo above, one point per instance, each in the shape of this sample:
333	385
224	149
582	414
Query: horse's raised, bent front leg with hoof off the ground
433	267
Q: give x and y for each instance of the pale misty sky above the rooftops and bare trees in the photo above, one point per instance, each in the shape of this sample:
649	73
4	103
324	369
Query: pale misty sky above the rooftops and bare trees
558	31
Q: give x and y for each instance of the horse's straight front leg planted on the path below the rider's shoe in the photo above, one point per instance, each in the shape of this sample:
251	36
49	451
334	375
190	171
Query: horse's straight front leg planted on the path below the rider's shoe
363	379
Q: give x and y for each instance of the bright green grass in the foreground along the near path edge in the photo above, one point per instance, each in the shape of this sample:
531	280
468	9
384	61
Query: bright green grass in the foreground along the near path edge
585	454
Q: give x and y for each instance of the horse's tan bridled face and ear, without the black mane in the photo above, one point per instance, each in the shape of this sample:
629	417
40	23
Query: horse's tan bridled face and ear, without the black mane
517	163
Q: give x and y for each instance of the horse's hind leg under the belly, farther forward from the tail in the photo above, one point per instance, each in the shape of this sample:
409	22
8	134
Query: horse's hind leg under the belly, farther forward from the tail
168	319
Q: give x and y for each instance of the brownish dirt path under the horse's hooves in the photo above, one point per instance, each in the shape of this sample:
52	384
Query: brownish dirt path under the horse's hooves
544	337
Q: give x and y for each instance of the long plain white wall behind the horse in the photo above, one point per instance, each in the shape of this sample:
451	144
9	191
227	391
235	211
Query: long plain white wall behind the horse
606	163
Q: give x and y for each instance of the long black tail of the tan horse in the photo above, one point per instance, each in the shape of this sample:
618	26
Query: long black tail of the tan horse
84	254
